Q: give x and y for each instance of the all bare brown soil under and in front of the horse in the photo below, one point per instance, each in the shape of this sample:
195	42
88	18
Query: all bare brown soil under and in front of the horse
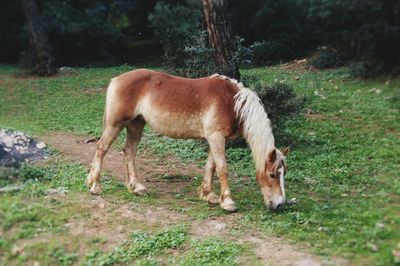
113	221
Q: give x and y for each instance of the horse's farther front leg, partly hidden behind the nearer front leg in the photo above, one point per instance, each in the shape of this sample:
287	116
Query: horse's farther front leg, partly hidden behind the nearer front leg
206	192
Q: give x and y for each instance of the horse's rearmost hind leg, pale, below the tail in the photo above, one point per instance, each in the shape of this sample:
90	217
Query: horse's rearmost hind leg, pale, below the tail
110	133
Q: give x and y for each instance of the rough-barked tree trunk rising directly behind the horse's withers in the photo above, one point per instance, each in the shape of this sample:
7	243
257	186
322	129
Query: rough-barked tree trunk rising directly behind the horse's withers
220	36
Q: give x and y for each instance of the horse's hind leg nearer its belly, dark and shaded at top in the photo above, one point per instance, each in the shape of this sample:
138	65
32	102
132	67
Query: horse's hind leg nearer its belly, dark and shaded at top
134	134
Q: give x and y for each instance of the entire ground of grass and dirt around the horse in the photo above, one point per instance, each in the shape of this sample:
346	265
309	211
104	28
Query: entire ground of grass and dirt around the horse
343	170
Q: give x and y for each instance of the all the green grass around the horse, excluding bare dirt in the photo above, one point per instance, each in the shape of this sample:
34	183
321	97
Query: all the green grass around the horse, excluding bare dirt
344	170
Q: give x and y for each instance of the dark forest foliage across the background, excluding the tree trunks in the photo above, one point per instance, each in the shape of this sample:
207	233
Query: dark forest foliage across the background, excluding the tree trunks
106	32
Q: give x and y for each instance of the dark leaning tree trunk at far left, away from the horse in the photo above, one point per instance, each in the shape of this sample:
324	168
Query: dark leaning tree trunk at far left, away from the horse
38	40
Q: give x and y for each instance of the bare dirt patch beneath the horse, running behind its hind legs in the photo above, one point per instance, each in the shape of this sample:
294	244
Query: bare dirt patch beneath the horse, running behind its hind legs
76	149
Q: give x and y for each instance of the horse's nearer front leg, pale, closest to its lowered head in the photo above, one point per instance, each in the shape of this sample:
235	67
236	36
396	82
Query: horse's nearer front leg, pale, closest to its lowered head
217	147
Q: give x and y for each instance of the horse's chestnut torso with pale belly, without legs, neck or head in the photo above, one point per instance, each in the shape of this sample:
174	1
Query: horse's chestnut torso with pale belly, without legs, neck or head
174	106
